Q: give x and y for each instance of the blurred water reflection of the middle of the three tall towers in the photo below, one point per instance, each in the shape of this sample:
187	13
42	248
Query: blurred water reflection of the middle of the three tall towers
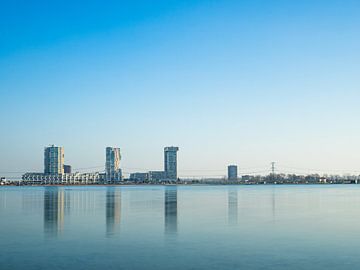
113	210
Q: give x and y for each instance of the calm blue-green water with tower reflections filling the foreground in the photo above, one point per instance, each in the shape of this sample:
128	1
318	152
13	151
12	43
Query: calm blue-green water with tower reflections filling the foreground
195	227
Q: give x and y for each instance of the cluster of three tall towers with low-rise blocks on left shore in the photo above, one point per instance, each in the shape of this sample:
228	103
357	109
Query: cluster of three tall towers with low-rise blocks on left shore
56	172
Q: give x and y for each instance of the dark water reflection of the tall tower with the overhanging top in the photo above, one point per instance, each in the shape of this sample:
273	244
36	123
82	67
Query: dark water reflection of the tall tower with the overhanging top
170	210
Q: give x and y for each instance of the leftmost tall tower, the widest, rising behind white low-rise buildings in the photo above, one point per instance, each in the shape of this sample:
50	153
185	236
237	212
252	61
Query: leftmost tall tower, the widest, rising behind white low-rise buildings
54	160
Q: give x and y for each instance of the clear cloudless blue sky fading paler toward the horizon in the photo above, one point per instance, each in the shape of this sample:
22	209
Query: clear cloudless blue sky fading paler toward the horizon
244	82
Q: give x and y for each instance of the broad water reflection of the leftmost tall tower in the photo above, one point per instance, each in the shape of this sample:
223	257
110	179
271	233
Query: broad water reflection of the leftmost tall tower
55	203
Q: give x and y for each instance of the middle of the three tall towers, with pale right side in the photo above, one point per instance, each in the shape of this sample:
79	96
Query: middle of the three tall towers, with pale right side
112	165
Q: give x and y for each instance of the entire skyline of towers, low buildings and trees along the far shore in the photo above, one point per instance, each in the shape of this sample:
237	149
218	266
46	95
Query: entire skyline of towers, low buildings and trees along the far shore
112	172
